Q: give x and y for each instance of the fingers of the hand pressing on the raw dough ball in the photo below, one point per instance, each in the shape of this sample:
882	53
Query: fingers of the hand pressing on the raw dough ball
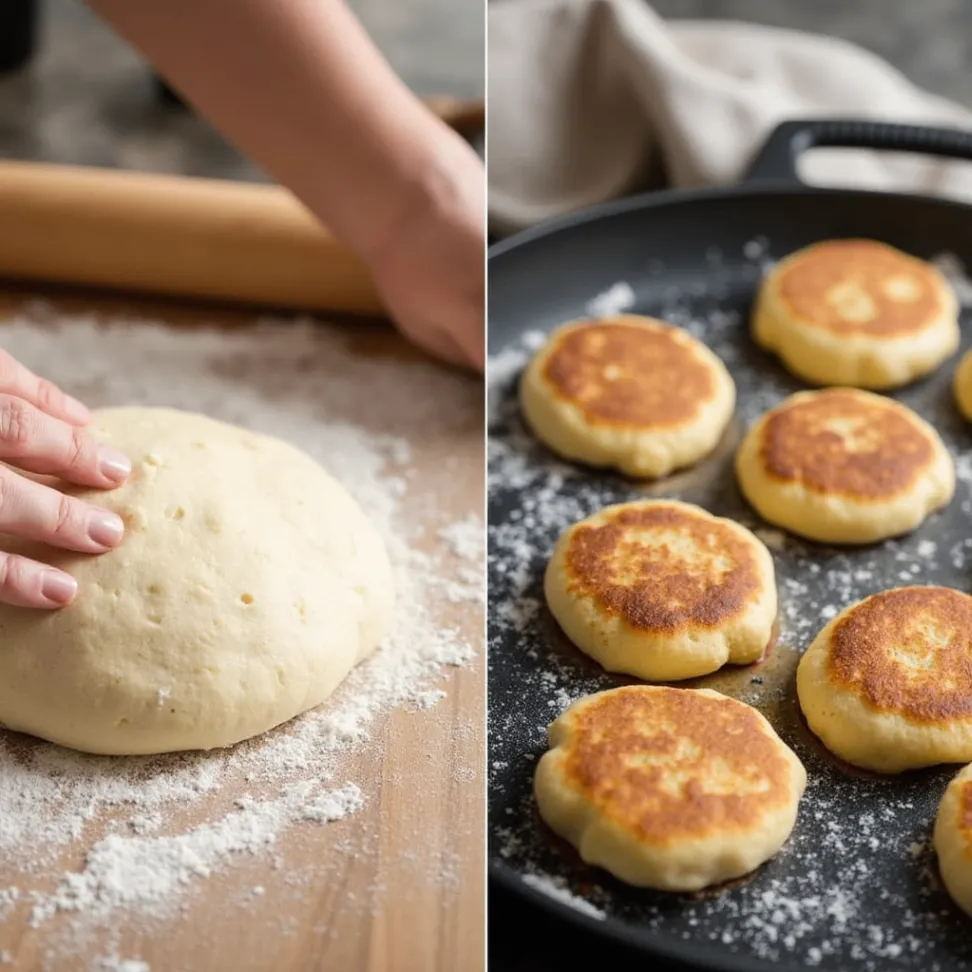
42	431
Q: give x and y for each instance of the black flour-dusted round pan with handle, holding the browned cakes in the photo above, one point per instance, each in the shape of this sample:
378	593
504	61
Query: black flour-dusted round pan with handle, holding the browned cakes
696	256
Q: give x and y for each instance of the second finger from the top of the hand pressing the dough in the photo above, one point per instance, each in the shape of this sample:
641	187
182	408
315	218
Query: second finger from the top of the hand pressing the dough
33	440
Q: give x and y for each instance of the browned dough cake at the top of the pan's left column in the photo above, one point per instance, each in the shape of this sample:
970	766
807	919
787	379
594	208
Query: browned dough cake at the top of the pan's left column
630	393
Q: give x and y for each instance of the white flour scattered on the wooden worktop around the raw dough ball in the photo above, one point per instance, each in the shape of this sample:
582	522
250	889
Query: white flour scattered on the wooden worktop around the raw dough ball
358	417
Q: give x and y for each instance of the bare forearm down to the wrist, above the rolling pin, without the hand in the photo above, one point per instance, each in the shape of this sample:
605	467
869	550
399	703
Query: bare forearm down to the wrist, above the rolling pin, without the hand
300	88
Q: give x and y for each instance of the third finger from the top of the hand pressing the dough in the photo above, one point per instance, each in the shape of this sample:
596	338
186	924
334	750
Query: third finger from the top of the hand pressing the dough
37	512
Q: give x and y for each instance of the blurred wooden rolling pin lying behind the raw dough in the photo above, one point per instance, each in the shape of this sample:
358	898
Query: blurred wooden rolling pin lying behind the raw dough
200	238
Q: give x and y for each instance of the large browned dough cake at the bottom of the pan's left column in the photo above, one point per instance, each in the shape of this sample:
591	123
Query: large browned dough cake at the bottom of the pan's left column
675	789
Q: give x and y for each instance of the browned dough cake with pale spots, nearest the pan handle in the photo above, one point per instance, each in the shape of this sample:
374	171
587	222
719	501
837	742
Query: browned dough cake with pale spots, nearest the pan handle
857	312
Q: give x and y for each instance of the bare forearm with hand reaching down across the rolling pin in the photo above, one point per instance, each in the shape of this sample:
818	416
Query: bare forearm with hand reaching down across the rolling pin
322	111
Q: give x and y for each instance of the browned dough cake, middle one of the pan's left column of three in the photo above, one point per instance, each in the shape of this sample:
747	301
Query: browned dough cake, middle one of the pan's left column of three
663	590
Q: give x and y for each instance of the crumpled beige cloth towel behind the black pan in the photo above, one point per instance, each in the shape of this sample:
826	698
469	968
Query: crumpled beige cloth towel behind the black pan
587	96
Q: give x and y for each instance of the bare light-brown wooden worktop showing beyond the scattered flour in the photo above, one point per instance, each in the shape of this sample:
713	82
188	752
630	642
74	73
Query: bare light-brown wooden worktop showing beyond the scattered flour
410	894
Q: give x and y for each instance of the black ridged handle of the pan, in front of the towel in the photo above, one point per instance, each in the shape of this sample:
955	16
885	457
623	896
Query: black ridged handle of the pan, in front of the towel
776	161
